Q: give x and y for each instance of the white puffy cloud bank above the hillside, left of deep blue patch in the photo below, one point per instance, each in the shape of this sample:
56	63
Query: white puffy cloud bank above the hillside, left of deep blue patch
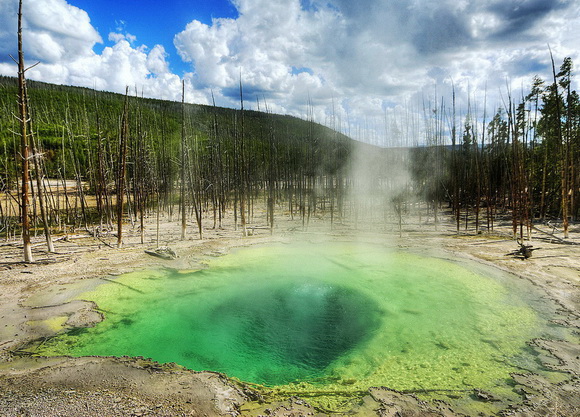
62	38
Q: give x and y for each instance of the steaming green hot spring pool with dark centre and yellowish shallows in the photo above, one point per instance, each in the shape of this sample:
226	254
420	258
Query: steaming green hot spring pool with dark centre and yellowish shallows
327	317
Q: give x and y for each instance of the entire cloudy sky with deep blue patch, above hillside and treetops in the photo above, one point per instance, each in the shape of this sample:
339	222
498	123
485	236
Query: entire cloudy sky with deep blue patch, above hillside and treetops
365	66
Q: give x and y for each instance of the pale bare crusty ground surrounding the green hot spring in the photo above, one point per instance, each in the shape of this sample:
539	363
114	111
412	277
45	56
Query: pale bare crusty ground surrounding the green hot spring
35	303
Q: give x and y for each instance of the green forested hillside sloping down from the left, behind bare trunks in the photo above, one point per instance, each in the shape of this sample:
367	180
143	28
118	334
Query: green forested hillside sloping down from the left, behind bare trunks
198	158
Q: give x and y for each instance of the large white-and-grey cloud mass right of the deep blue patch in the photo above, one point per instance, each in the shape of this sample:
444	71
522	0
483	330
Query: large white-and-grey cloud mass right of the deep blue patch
368	51
